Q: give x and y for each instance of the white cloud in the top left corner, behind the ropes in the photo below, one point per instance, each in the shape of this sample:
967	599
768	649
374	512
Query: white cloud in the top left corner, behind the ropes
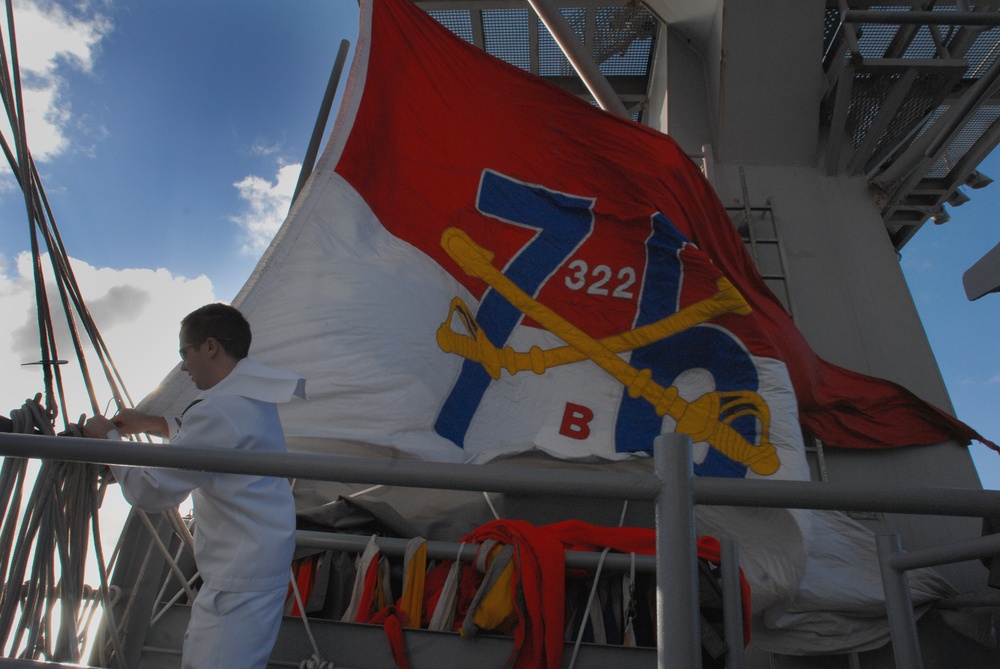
50	38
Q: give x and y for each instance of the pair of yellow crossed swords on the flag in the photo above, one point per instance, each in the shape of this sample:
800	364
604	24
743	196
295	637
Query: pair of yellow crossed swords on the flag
706	419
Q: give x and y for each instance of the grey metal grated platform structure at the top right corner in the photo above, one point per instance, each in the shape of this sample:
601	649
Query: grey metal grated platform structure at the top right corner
903	78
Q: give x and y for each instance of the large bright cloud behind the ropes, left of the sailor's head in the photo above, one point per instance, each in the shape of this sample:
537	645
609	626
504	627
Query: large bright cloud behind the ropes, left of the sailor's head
136	310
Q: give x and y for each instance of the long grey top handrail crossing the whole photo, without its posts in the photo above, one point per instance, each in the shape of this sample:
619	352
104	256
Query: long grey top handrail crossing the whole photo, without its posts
919	500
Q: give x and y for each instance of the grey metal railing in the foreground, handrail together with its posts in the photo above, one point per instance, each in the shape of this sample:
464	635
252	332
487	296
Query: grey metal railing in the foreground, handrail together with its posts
672	487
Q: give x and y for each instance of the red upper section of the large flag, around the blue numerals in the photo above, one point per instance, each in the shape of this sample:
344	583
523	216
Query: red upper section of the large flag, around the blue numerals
437	111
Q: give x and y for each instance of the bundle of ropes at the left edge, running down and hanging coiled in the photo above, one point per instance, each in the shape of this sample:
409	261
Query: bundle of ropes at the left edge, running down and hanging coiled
44	535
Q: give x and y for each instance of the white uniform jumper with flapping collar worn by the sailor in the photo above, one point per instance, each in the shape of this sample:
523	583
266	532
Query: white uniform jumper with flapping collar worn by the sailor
244	525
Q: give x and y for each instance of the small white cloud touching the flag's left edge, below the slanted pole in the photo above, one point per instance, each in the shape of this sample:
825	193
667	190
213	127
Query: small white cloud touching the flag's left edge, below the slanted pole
267	205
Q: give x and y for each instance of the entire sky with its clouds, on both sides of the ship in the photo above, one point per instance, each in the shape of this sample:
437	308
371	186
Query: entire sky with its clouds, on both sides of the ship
169	136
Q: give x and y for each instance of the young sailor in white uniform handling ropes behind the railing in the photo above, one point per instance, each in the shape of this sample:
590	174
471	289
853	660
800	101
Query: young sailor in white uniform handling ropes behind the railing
244	525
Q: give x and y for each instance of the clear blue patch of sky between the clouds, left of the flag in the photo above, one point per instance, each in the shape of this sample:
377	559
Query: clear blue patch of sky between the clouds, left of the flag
184	100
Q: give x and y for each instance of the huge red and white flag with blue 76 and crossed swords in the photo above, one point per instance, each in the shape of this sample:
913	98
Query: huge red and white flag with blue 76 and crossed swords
483	265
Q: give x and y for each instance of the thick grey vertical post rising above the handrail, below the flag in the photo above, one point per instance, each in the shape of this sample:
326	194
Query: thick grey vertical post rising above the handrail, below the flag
678	633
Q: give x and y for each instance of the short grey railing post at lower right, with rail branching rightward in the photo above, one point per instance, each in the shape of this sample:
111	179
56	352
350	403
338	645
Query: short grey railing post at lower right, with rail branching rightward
899	605
